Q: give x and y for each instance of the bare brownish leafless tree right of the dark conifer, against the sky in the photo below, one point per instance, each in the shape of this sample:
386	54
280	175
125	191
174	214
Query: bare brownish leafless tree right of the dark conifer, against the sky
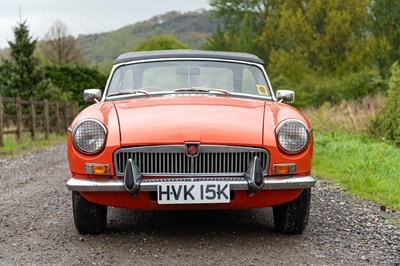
59	47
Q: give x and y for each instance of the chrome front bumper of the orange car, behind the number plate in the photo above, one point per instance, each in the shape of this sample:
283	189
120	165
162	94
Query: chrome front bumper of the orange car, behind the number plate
117	185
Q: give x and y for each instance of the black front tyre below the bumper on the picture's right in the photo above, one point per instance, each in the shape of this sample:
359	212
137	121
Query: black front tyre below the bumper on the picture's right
292	217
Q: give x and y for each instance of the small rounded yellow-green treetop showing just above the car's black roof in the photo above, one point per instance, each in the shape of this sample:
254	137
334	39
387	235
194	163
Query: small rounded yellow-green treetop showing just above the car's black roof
163	42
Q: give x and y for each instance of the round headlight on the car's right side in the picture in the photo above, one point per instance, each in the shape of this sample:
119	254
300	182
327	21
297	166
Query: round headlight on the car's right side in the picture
293	136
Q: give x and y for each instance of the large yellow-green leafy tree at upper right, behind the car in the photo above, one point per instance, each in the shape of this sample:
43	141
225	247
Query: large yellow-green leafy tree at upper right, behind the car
330	37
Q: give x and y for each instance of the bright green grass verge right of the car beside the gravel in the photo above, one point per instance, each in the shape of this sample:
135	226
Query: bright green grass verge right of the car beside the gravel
363	166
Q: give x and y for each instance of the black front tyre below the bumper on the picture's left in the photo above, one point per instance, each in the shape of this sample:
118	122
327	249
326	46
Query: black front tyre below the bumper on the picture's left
89	218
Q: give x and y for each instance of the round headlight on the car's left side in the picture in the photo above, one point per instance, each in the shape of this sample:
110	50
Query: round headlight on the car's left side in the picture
89	136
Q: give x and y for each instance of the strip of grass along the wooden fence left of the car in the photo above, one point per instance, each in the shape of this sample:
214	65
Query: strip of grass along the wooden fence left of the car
12	149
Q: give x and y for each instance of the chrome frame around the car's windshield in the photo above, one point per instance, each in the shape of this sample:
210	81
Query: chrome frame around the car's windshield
162	93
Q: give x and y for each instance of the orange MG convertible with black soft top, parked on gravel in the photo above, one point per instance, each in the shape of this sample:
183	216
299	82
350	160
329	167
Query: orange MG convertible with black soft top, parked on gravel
185	129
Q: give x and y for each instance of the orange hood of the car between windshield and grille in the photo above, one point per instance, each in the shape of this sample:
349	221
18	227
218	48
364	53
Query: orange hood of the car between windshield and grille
180	119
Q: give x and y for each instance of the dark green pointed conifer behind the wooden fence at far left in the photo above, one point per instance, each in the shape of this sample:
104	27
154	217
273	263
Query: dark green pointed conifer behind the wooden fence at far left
22	75
